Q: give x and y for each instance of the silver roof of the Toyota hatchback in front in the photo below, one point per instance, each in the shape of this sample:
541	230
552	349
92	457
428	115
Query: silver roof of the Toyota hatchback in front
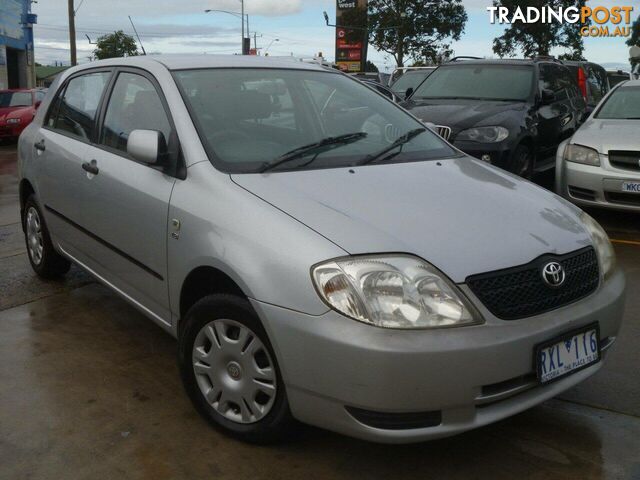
184	62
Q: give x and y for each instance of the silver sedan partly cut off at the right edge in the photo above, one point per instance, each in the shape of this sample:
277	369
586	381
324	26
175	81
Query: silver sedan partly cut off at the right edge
600	165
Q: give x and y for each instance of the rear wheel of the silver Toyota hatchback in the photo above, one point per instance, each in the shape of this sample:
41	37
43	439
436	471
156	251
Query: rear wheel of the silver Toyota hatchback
44	259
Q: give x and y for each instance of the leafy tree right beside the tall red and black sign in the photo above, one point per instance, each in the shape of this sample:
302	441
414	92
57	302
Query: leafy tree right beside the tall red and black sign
416	29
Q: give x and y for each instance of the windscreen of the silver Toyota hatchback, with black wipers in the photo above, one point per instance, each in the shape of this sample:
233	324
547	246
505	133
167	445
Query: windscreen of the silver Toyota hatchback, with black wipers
249	119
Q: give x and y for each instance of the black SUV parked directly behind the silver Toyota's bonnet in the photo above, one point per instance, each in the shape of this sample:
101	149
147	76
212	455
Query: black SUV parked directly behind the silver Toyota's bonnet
511	113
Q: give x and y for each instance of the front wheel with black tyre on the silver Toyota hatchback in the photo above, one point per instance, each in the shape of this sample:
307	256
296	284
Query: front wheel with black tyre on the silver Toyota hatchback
230	372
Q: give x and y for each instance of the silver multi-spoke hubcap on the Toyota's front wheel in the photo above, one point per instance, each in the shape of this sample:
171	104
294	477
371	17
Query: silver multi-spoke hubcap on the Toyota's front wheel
234	371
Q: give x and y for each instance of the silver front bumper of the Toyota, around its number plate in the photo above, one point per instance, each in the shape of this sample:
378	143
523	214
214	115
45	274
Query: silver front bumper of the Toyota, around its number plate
472	376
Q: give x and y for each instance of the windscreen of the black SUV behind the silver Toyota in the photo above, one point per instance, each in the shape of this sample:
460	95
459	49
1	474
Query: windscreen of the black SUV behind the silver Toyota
482	82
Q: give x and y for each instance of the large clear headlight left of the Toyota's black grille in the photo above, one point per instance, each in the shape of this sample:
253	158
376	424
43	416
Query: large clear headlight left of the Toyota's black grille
396	291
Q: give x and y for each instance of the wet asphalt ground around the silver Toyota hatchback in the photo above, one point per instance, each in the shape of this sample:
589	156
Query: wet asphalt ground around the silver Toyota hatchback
89	388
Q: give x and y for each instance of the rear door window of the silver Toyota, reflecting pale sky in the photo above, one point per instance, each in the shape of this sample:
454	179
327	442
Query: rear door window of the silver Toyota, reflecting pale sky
74	112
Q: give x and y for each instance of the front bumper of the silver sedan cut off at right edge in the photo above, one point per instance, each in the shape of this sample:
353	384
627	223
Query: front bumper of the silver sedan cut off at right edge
596	186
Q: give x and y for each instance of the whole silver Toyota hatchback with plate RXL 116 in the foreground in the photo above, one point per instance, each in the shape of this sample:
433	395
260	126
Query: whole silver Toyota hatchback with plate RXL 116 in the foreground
319	254
